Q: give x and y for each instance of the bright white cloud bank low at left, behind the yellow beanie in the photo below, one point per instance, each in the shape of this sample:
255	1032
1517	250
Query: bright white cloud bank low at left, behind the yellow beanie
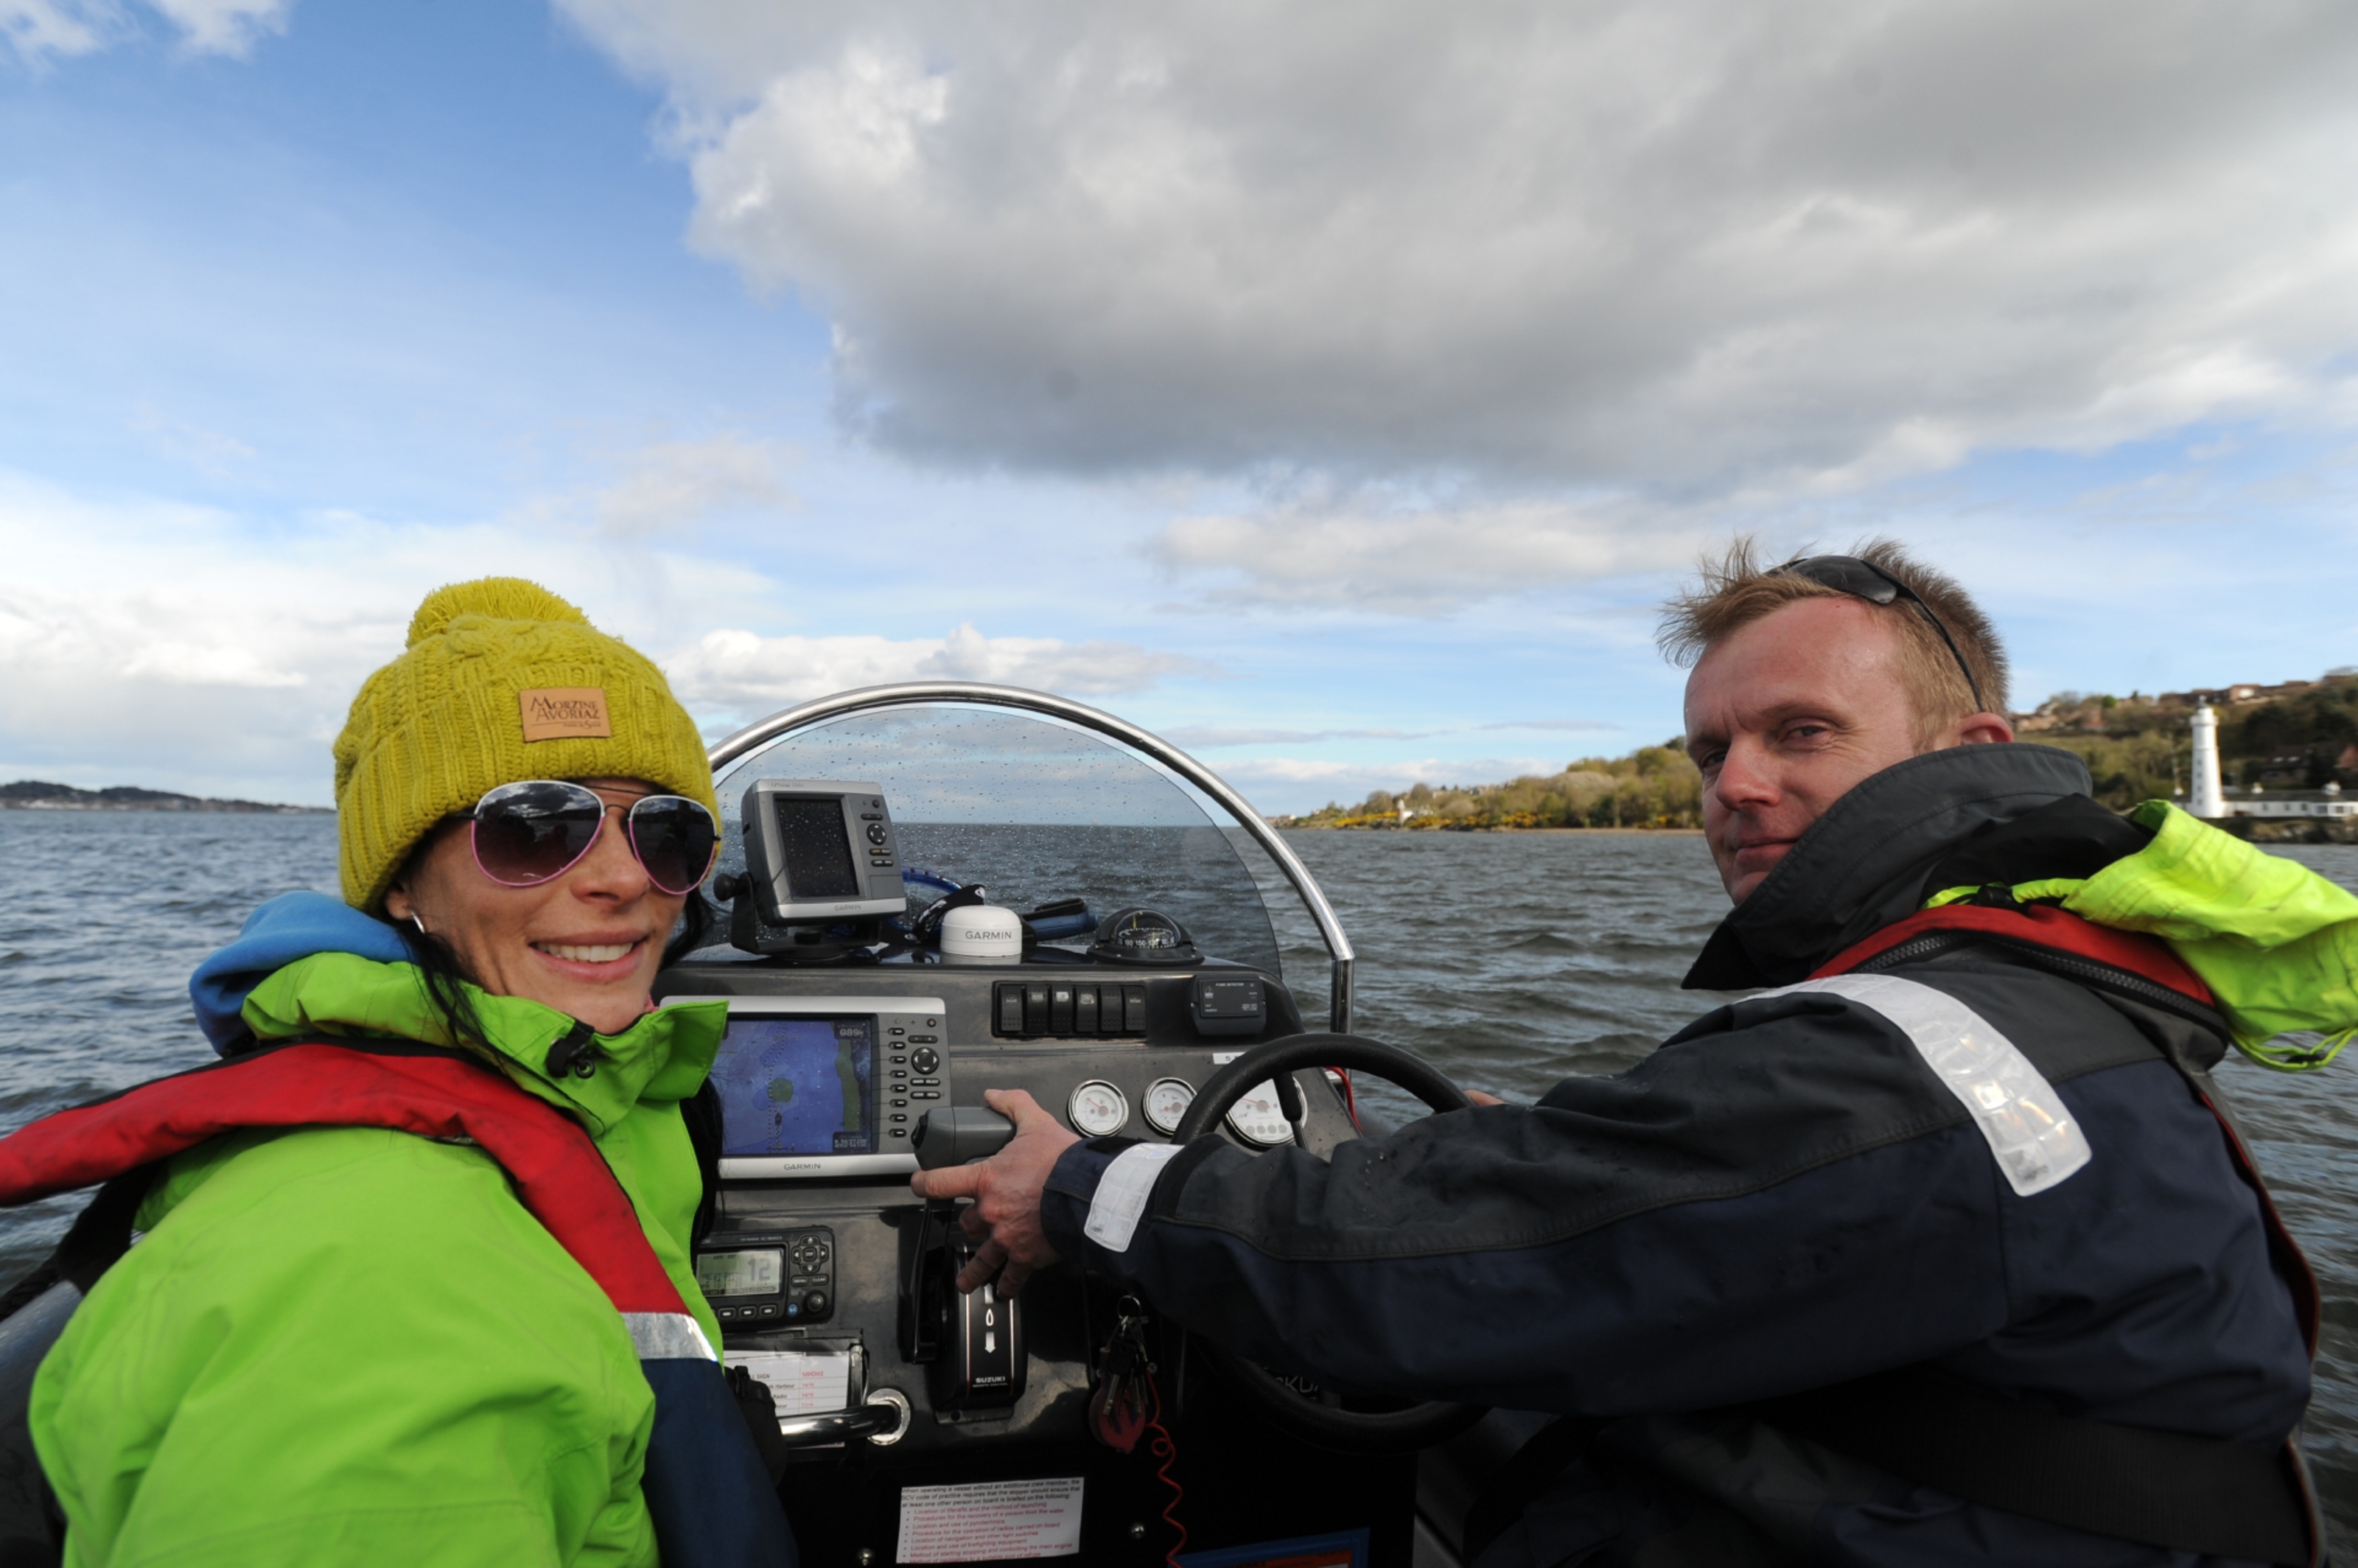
185	647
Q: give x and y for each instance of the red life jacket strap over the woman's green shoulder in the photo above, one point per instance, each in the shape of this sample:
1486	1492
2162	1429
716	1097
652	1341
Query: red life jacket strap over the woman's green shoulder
558	1171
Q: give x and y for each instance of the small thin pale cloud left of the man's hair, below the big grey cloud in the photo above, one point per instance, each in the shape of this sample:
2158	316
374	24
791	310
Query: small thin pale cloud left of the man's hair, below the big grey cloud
1411	562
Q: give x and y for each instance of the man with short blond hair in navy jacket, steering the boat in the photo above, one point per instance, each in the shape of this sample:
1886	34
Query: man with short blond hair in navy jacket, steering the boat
1939	1251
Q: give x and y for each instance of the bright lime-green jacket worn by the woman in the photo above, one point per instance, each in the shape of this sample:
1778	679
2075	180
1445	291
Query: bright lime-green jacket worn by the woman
350	1345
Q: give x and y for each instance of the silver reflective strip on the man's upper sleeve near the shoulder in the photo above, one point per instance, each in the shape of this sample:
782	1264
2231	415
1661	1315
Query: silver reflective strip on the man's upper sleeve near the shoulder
2017	1109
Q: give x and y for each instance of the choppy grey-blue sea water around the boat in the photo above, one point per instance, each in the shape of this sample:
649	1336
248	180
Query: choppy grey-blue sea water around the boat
1508	961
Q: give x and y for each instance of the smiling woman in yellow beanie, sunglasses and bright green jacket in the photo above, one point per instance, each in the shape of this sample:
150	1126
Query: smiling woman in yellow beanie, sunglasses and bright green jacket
416	1282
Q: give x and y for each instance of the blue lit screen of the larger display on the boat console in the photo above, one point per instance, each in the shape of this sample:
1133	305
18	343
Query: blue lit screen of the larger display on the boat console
798	1088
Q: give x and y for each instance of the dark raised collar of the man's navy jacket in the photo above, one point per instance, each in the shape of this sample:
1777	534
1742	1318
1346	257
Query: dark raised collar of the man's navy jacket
1864	864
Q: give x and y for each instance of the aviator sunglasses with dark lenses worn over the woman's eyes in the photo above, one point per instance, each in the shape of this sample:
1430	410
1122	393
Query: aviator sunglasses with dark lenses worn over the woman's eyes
539	829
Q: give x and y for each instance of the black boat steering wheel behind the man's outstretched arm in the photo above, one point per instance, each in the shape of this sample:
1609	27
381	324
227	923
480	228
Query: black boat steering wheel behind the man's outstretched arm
1312	1414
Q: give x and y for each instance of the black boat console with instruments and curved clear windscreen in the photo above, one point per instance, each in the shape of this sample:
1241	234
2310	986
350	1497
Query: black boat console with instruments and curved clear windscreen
942	1428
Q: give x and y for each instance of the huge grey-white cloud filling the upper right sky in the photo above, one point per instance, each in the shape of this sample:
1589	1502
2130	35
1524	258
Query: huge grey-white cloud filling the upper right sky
1678	246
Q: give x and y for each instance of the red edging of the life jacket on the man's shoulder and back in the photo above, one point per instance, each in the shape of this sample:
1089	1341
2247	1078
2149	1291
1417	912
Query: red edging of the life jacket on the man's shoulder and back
2041	925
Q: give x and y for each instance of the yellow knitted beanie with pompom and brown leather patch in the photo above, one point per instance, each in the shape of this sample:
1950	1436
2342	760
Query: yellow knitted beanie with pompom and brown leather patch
503	680
